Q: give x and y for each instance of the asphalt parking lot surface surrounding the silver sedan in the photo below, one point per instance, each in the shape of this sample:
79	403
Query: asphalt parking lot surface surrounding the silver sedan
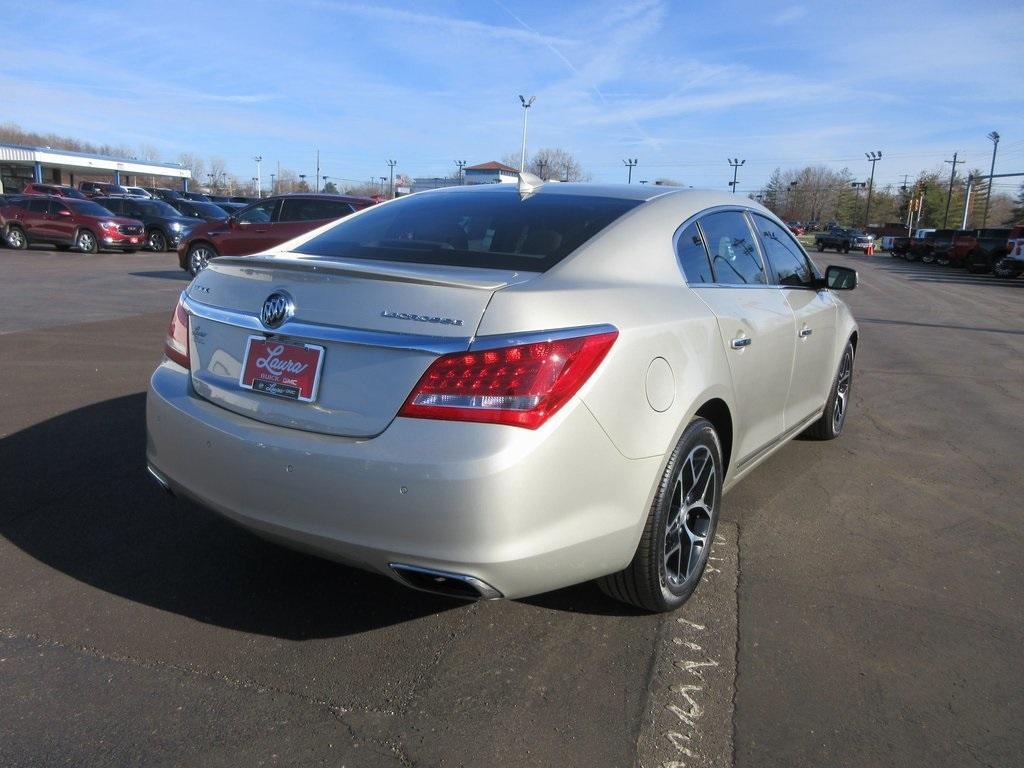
864	609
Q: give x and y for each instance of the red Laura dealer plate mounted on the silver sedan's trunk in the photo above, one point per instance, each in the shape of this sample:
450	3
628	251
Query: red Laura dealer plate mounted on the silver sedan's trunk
282	370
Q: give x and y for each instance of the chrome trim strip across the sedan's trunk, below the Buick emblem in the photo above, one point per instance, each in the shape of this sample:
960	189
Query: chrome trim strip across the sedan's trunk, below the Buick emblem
337	334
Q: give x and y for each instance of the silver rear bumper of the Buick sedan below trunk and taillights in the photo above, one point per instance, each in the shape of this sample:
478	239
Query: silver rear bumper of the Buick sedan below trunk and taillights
523	511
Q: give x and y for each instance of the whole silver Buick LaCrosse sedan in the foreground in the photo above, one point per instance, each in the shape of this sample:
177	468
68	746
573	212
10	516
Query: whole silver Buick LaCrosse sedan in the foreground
499	391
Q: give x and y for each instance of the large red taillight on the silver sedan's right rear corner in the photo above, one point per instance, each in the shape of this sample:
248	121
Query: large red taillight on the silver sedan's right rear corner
522	387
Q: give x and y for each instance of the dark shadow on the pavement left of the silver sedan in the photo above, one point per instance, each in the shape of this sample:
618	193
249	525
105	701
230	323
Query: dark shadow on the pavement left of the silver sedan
77	497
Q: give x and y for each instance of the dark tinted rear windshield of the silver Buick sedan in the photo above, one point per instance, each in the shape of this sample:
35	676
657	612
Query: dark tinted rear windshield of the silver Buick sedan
492	229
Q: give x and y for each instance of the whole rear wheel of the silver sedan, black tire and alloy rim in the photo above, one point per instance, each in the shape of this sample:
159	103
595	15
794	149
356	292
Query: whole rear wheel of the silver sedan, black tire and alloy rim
680	527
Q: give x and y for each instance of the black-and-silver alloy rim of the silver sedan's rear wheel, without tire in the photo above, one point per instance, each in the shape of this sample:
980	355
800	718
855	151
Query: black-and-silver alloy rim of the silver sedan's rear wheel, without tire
691	518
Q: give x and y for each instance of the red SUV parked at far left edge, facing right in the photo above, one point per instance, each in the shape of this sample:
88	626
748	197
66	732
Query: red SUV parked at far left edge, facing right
68	224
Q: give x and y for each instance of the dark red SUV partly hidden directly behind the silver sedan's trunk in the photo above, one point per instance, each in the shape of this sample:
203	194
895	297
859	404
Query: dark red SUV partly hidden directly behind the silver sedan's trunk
265	225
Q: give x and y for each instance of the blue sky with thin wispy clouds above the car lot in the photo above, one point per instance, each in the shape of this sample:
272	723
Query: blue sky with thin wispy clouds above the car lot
679	86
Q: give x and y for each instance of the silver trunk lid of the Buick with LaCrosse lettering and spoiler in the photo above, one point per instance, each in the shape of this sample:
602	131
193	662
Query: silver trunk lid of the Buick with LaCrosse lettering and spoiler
380	326
